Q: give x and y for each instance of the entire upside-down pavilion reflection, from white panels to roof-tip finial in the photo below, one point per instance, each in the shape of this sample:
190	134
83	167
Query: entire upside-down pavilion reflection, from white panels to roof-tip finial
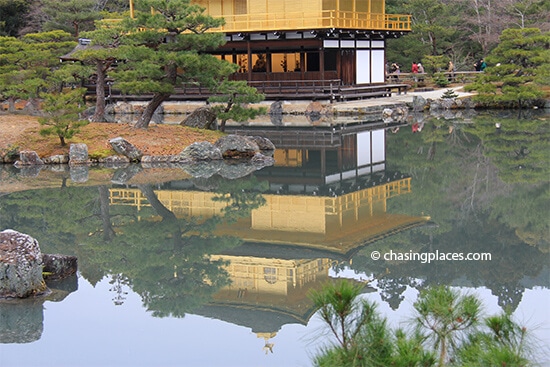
327	198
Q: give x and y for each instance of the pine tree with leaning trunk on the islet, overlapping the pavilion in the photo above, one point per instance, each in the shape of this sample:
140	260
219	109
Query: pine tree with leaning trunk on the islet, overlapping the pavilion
164	49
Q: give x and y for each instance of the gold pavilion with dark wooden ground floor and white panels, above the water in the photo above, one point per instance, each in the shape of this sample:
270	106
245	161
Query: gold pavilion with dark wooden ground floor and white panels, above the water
314	40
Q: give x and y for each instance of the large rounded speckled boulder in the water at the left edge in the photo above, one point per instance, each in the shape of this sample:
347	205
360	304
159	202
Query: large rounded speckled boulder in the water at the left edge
20	266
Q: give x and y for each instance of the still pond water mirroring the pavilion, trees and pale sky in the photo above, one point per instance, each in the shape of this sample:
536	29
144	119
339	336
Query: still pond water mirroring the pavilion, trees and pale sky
180	270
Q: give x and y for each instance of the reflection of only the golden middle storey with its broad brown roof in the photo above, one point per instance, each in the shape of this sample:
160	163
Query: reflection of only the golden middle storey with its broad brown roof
336	225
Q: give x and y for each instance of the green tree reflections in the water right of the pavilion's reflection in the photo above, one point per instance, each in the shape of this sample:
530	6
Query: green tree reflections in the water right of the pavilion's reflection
474	210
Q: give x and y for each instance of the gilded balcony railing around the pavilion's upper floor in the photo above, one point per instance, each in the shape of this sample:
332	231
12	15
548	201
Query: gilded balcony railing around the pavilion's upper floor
325	20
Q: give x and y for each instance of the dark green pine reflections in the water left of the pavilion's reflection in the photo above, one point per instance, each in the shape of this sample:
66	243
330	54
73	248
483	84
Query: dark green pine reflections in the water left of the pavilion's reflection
163	258
